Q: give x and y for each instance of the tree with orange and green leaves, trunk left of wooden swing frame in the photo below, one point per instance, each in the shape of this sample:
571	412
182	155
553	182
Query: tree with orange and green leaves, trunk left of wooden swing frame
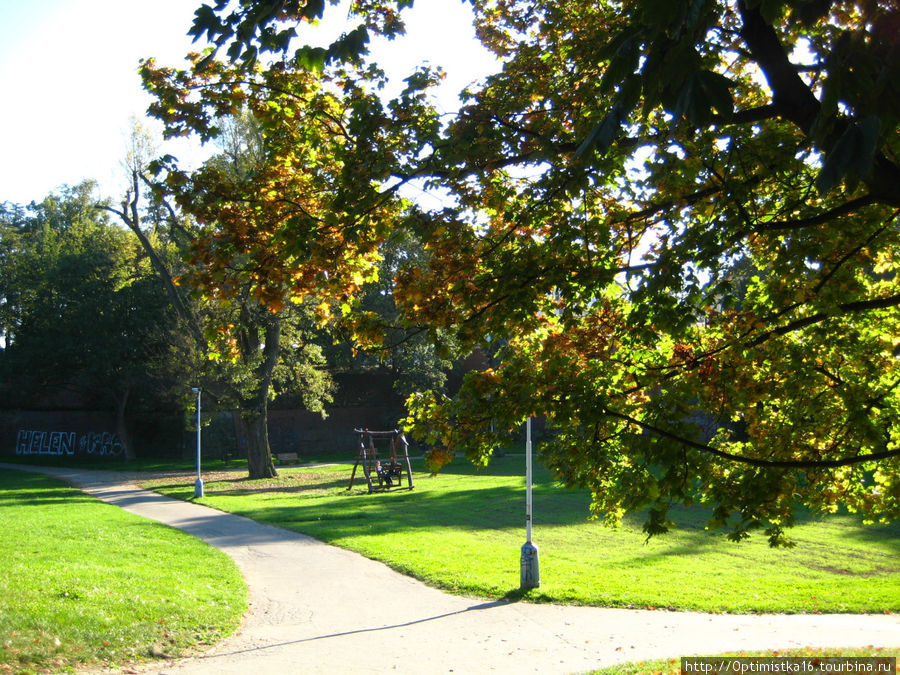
280	171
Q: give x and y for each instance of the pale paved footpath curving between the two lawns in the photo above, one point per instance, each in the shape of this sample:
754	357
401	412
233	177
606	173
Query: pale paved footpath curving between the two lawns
315	608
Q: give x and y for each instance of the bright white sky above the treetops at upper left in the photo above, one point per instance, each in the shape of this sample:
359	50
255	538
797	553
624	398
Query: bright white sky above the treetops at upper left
69	86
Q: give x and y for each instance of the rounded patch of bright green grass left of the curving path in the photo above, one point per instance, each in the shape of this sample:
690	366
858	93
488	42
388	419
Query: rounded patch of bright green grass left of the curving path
86	583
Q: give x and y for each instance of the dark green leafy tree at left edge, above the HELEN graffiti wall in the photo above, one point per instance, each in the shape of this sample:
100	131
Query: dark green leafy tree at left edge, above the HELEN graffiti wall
81	309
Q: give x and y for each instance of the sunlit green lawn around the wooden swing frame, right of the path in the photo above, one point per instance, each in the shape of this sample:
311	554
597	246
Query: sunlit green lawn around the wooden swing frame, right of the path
462	531
